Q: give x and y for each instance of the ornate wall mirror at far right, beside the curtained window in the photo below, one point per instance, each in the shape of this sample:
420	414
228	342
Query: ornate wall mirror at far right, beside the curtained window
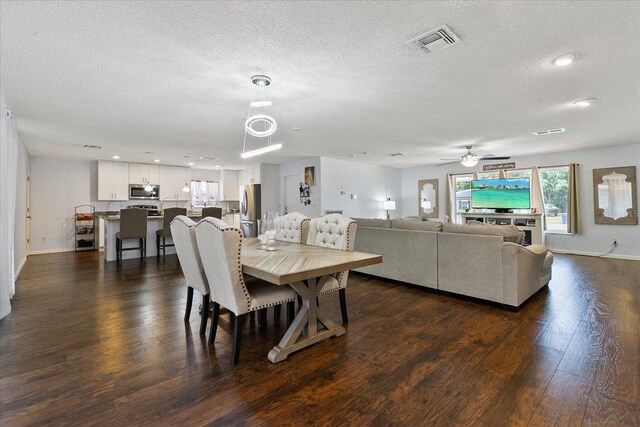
615	195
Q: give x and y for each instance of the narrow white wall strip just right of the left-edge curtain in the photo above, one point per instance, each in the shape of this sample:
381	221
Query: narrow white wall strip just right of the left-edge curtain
20	244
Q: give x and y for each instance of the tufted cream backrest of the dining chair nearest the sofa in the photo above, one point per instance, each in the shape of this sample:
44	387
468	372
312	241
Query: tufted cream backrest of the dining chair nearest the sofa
334	231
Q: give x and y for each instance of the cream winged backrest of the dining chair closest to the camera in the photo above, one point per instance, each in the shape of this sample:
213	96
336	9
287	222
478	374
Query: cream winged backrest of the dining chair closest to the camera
220	247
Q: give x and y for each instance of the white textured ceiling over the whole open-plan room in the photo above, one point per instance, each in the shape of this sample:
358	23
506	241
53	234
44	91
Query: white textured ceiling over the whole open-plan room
173	78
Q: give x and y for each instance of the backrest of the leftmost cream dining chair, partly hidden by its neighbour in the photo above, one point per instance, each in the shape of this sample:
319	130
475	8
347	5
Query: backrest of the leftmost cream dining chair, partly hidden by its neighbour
184	238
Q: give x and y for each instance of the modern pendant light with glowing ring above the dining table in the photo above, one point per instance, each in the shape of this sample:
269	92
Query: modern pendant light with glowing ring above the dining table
259	123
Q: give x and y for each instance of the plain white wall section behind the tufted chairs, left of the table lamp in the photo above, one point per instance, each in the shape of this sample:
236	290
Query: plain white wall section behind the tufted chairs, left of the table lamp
371	183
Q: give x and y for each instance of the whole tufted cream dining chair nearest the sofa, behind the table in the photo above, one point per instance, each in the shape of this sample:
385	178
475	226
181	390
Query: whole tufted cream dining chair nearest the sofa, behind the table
338	232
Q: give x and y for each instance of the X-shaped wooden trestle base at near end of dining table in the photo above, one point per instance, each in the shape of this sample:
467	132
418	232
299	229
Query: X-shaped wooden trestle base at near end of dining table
305	324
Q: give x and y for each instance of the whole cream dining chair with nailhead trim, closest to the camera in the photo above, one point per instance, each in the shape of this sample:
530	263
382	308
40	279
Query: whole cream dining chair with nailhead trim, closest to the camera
220	247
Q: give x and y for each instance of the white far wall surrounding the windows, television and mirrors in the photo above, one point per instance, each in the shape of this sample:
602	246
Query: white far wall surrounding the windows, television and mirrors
593	238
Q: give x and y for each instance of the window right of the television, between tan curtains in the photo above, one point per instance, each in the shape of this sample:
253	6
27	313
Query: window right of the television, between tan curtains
555	186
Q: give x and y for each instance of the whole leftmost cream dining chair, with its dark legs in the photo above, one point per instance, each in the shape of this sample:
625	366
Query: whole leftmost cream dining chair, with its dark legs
184	239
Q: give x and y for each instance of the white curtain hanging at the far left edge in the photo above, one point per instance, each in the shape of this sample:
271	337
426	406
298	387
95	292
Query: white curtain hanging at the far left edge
9	143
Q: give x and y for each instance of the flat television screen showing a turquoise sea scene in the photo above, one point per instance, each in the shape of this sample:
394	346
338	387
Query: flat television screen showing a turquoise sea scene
505	193
